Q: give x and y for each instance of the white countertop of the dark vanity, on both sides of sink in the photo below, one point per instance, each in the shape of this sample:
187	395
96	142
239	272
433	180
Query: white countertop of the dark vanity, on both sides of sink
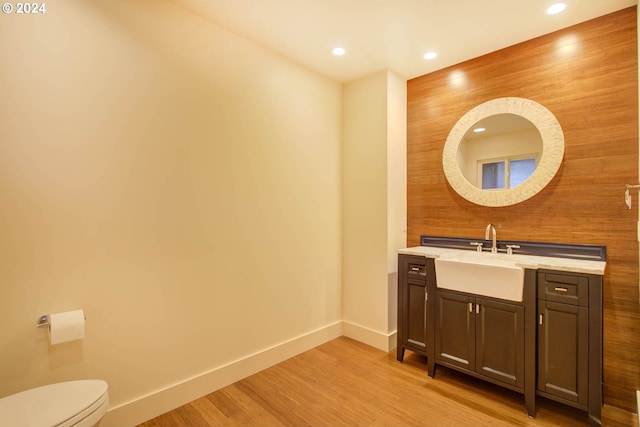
524	261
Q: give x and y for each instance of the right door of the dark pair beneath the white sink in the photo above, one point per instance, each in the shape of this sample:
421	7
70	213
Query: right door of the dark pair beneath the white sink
500	341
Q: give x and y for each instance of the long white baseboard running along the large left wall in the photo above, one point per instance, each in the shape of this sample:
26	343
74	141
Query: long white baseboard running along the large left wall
163	400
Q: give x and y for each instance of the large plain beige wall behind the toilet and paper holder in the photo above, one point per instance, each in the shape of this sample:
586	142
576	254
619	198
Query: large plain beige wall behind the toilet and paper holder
178	183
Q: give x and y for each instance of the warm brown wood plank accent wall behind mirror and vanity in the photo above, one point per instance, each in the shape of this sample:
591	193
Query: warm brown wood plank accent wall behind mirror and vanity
587	75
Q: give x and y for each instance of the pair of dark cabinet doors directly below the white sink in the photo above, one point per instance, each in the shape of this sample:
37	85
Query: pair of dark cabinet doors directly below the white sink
483	336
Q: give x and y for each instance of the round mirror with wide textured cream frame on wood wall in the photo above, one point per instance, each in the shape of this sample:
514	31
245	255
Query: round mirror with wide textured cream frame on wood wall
503	152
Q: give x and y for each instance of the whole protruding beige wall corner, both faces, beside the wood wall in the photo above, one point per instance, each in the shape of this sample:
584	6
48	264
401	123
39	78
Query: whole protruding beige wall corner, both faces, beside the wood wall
374	205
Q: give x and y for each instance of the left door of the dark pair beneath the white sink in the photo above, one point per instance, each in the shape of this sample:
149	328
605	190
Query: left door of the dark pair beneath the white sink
455	330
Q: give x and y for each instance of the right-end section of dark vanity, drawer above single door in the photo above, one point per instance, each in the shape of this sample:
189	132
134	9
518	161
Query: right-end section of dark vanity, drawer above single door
569	346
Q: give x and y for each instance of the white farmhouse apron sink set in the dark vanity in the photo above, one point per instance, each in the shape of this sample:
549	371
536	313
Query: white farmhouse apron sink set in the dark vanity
490	275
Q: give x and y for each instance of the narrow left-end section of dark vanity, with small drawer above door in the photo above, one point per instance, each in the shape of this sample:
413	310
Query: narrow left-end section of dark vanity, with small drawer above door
416	283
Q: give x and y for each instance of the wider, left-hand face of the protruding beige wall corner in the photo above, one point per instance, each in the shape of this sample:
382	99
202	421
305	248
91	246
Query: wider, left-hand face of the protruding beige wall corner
364	207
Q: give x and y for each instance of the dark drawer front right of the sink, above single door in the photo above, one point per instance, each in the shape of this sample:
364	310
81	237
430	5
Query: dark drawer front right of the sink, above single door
566	288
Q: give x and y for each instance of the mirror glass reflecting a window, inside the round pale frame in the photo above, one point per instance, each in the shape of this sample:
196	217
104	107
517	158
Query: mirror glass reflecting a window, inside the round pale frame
500	151
